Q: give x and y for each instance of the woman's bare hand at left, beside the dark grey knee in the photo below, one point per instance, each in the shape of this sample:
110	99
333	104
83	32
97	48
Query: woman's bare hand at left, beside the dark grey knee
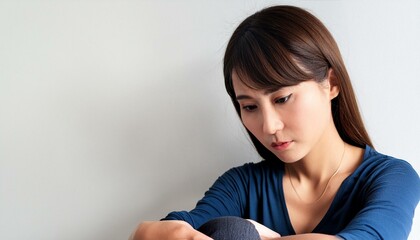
179	230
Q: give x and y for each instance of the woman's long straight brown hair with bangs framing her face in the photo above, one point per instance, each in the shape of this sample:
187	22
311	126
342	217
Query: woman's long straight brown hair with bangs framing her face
282	46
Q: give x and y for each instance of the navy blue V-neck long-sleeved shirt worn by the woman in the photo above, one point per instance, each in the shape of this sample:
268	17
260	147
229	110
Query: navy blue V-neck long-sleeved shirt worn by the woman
377	201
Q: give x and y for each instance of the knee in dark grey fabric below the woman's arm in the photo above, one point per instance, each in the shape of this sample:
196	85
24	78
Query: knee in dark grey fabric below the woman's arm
230	228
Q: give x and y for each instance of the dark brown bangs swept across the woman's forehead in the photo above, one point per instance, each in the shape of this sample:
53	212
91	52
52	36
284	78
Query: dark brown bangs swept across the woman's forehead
261	62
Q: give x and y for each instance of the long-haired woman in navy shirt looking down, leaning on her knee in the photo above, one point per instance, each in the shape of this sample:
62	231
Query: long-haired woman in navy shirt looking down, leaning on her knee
321	177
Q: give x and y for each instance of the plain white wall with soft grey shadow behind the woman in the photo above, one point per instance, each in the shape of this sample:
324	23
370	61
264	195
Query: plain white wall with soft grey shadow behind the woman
113	112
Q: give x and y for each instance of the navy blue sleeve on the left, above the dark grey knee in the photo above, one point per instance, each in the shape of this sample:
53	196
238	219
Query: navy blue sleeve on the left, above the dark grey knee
227	197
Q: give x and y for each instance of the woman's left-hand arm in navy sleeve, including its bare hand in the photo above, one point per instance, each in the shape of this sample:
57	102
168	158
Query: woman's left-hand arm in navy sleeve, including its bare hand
222	199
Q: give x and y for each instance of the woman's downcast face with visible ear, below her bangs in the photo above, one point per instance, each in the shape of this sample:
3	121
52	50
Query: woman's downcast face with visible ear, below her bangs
290	121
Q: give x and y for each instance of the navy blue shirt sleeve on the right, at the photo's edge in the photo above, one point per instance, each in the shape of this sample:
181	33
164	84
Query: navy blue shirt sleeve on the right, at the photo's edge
388	211
